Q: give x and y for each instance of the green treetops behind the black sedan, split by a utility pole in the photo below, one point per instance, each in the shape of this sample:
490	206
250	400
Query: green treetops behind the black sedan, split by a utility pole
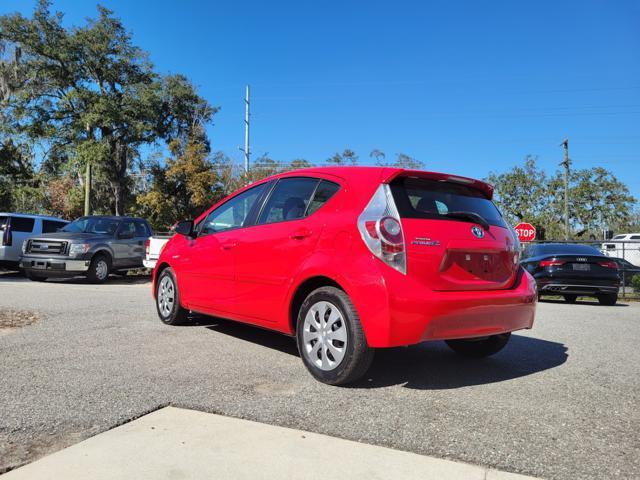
597	200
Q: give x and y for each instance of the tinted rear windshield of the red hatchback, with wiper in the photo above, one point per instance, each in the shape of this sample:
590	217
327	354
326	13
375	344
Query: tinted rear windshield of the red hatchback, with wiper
422	198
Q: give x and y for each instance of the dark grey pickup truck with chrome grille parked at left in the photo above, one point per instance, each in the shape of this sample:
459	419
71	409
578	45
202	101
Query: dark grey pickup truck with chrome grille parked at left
92	246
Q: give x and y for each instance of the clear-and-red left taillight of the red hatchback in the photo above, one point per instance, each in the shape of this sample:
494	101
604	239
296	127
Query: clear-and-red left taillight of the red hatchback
381	230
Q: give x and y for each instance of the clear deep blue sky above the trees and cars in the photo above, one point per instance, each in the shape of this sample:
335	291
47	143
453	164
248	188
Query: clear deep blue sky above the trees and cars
467	87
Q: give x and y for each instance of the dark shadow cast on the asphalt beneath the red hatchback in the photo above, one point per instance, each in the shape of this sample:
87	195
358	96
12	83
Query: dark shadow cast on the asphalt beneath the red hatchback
429	366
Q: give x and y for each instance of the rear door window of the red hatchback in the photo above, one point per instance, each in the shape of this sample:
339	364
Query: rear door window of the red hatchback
288	200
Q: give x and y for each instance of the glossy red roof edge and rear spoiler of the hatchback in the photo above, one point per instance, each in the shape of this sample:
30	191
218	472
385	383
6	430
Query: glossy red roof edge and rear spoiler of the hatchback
387	175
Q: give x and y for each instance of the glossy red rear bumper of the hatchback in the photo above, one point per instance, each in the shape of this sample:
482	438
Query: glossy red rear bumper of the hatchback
415	317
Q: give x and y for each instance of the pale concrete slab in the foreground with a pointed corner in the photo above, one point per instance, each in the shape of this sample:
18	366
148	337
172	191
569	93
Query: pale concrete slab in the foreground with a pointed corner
174	443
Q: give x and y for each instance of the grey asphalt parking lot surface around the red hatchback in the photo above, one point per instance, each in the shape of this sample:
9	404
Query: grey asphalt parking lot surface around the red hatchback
560	401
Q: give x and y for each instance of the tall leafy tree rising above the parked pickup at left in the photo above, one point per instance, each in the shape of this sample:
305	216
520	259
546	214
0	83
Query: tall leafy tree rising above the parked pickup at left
89	92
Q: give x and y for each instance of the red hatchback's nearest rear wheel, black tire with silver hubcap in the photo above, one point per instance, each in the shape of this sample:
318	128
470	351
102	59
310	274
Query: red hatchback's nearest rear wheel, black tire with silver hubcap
330	338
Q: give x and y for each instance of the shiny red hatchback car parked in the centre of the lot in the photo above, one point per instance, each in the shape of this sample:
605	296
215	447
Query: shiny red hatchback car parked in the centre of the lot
350	259
